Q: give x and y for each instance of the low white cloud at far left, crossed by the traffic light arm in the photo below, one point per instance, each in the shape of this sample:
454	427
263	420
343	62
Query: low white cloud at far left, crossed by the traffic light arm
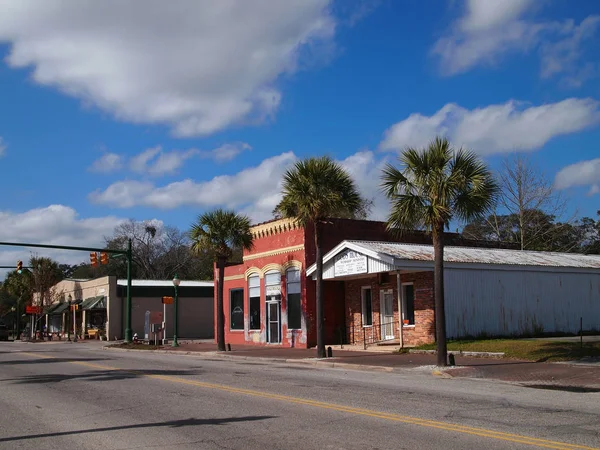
54	225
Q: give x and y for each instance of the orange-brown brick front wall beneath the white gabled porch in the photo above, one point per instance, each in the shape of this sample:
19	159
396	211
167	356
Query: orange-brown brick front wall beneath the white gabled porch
421	333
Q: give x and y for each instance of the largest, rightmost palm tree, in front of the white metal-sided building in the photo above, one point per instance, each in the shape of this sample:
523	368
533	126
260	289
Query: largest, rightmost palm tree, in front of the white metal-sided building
437	184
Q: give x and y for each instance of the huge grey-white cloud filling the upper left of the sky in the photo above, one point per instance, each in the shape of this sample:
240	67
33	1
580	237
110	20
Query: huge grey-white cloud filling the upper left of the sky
198	66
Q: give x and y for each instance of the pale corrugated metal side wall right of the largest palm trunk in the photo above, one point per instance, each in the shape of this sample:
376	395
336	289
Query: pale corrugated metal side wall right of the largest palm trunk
500	302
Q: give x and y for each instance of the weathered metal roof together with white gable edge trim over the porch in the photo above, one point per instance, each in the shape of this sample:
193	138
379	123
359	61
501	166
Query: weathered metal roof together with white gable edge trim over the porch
396	253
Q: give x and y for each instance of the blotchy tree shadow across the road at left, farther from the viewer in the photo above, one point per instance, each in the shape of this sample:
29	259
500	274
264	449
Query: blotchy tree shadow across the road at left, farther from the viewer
98	375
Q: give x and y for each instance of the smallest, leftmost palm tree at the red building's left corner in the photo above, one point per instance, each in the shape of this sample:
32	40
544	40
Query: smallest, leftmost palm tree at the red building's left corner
220	233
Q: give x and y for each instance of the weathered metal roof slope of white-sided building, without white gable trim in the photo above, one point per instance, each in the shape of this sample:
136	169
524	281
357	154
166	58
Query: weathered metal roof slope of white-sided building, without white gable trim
415	252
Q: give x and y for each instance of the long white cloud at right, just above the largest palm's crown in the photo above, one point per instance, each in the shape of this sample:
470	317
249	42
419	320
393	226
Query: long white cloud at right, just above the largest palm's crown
495	128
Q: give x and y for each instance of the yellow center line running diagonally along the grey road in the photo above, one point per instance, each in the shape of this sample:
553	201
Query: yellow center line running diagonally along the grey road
446	426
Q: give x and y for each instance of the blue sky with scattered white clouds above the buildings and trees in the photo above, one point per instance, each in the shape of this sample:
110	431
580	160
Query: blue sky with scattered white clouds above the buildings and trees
162	112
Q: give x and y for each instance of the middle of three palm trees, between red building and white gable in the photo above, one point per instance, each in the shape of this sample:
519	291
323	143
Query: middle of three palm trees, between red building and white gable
314	189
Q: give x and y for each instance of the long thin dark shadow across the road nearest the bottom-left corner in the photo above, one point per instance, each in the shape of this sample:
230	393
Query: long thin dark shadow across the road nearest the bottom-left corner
171	423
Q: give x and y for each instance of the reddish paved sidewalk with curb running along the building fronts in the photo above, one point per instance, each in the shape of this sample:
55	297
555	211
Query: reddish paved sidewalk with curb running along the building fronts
565	376
